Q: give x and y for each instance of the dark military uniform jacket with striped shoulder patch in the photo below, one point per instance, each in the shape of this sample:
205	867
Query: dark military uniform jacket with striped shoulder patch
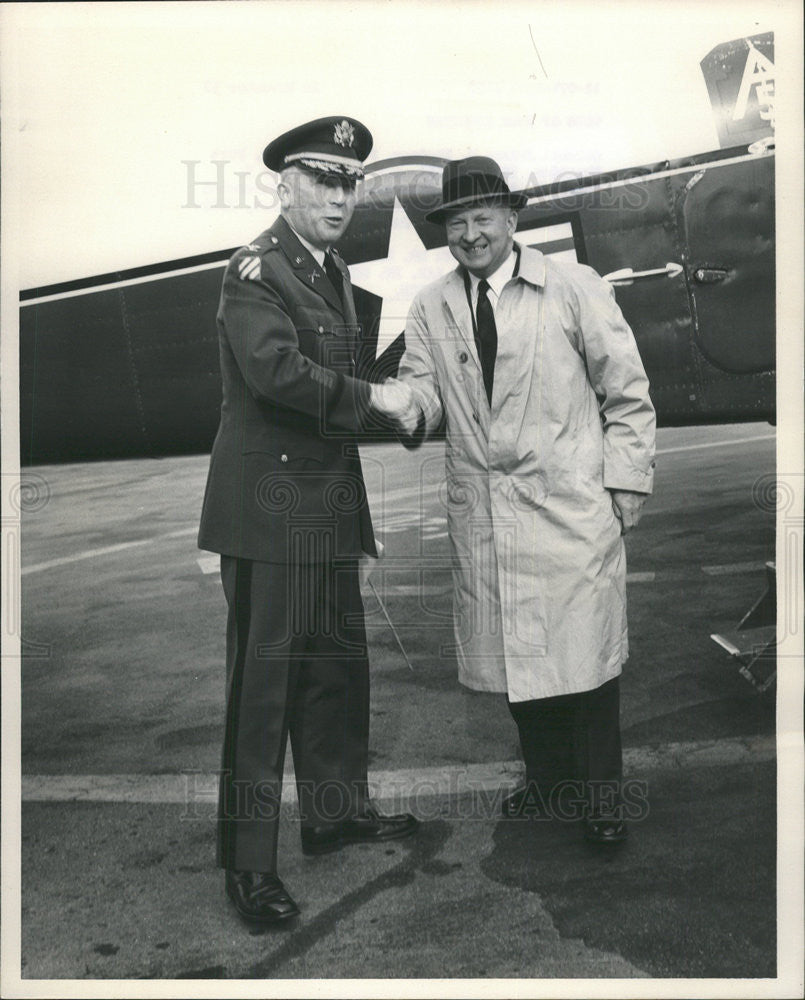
285	481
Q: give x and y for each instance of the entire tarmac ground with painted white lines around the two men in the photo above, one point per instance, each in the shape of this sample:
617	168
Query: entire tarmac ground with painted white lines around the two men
123	697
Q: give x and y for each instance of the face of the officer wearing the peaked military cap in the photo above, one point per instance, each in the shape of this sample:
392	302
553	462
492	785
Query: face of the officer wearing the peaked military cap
318	206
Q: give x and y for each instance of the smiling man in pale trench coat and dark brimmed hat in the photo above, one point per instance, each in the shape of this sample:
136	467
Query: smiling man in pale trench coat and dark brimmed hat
549	453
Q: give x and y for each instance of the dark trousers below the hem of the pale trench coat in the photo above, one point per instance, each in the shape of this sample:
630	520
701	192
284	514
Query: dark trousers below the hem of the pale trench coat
574	738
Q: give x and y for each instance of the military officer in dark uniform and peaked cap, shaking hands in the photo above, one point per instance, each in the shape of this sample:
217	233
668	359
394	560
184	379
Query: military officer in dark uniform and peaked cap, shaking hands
285	506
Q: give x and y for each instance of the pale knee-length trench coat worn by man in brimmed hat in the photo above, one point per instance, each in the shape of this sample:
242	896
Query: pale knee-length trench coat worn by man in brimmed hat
538	562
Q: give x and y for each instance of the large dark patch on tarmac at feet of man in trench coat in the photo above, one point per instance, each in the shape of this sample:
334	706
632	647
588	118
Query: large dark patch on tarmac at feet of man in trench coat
690	894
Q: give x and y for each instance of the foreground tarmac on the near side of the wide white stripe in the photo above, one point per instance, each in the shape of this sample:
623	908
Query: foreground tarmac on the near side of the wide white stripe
127	891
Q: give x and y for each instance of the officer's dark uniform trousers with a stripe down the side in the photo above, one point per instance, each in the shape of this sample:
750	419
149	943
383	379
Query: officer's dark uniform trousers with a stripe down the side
296	664
